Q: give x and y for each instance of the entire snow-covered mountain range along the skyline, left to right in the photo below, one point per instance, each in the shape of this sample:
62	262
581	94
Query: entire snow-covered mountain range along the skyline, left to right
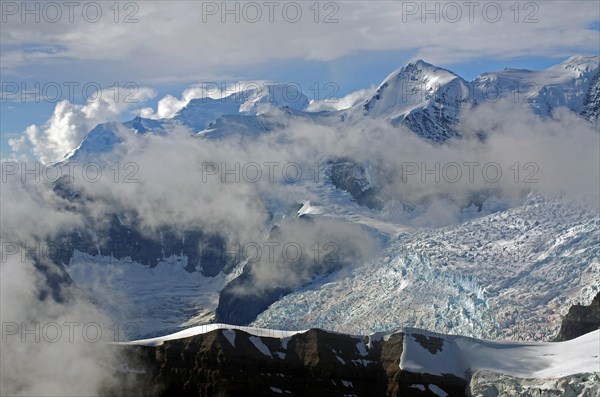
429	100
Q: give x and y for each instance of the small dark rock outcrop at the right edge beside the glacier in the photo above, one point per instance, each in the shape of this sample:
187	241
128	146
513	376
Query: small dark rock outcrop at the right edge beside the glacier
580	320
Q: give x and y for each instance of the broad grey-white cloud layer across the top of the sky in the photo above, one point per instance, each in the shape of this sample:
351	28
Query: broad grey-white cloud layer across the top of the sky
165	32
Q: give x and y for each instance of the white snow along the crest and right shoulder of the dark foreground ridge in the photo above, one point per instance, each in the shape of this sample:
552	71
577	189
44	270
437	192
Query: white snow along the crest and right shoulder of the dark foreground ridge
436	354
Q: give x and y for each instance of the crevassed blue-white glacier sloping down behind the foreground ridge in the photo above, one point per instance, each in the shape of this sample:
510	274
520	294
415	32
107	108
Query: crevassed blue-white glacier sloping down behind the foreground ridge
511	274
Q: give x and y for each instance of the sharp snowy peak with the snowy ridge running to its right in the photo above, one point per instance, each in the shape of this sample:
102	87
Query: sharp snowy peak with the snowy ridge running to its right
429	99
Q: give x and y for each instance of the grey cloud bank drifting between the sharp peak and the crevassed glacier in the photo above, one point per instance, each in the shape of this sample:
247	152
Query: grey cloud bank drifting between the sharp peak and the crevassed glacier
521	153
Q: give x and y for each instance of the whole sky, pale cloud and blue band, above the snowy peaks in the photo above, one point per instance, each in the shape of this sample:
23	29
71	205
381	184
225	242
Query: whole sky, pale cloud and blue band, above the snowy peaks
174	46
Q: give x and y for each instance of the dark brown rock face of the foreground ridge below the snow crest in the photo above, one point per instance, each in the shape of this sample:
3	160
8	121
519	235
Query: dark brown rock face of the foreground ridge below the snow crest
315	363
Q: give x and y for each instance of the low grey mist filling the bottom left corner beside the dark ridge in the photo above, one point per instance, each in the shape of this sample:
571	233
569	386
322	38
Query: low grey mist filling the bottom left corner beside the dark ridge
46	361
